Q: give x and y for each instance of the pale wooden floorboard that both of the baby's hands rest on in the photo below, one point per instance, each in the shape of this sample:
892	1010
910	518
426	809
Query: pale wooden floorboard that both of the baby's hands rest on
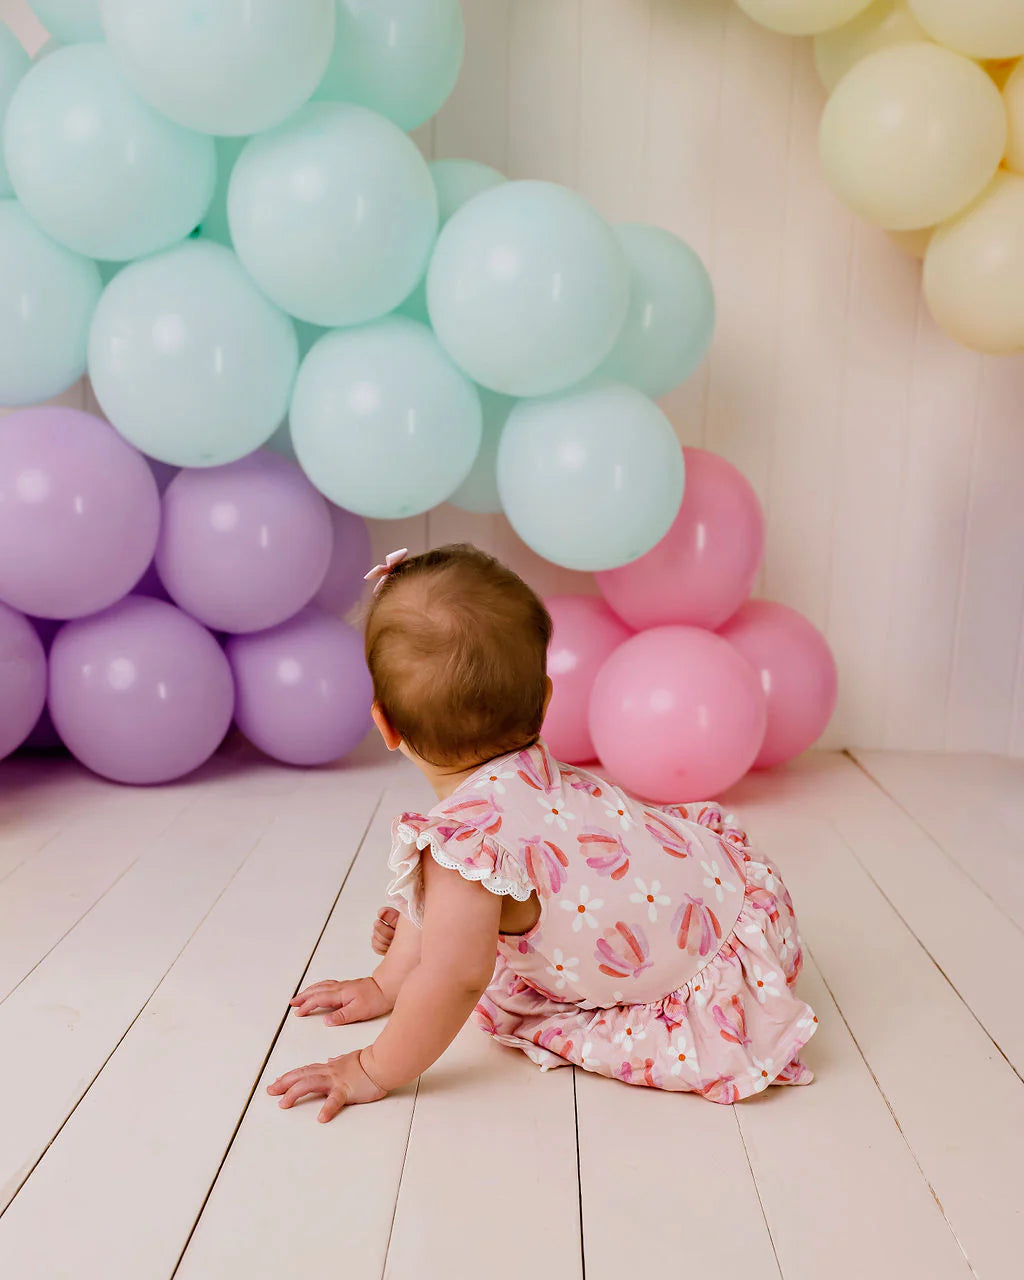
292	1192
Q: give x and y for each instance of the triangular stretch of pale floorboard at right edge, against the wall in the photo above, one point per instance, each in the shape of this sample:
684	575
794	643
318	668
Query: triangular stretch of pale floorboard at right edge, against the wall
973	810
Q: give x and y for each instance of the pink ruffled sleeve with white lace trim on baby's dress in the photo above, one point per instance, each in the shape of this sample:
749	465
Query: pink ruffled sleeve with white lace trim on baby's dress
476	854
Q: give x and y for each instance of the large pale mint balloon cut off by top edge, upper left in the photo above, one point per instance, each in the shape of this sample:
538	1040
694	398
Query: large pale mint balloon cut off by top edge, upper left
222	66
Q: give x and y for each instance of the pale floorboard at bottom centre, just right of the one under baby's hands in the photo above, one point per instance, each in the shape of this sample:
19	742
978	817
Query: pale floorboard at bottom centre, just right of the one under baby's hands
493	1139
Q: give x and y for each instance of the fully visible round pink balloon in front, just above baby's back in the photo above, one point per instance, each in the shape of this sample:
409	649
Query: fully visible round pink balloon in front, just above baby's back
678	715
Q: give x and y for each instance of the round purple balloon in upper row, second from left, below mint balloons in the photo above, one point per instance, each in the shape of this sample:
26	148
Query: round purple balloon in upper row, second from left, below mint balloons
245	546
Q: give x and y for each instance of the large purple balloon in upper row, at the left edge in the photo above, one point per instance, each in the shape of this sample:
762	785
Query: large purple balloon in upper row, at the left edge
79	513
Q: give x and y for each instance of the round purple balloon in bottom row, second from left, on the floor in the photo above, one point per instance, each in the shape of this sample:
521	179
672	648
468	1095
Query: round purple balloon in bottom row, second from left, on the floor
140	693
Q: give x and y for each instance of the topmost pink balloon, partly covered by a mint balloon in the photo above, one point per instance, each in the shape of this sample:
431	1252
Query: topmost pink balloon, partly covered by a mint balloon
706	565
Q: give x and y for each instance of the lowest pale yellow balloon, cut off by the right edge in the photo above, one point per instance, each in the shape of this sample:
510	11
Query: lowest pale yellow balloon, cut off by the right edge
975	271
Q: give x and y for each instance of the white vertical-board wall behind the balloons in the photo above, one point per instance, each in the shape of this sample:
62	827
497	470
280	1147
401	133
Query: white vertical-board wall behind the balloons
890	461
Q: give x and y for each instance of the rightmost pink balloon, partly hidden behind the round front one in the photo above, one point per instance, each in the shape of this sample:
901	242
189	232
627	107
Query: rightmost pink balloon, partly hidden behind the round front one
797	671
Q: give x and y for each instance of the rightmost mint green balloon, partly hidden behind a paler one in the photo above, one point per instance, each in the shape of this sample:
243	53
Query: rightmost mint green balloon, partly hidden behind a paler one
671	319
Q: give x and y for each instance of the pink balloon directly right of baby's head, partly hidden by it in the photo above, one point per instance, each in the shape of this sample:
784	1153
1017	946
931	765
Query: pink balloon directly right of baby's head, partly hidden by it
586	634
